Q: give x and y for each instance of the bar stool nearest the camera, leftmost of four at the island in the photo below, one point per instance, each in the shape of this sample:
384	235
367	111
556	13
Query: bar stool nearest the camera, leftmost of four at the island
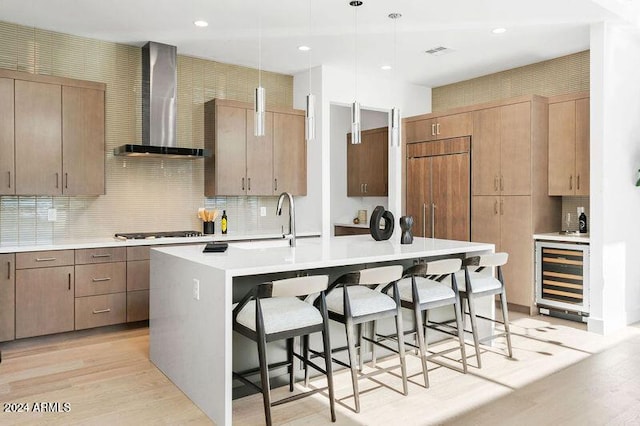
273	311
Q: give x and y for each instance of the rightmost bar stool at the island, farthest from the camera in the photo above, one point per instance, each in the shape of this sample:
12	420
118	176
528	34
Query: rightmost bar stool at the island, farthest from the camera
473	284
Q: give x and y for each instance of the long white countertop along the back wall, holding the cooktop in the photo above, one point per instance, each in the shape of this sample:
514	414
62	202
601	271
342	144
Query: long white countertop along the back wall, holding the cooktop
72	244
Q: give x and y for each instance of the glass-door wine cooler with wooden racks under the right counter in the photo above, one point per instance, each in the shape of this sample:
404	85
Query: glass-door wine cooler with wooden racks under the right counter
562	279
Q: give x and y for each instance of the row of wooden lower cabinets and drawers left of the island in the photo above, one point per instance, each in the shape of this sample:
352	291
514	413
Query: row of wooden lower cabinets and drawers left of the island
48	292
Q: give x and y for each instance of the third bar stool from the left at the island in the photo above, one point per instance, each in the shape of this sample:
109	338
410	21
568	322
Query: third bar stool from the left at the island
421	290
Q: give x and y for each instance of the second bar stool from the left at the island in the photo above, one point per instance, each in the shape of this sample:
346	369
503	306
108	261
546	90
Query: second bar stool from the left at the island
355	299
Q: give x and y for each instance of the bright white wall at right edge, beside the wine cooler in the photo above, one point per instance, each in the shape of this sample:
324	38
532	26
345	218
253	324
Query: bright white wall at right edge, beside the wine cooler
615	159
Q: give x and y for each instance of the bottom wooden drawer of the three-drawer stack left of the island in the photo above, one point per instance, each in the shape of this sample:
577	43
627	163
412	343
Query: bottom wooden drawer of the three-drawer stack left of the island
96	311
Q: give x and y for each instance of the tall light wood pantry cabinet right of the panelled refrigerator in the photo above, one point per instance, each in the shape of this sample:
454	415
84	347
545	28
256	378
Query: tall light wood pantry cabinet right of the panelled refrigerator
509	180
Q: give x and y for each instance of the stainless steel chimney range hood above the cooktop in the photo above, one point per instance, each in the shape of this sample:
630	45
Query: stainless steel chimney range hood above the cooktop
159	109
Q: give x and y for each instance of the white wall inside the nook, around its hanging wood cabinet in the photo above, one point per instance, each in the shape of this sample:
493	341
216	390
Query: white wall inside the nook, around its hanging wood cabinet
343	208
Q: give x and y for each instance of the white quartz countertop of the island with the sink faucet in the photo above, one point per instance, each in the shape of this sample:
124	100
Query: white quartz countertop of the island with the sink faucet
243	259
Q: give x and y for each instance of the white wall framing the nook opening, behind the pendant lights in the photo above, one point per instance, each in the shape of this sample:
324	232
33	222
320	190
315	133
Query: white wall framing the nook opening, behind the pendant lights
336	87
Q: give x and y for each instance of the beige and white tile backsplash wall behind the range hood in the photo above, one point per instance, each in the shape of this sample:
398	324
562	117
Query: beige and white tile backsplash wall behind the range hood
142	195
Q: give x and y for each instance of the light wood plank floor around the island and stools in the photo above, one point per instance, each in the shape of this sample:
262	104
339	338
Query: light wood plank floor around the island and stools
560	374
